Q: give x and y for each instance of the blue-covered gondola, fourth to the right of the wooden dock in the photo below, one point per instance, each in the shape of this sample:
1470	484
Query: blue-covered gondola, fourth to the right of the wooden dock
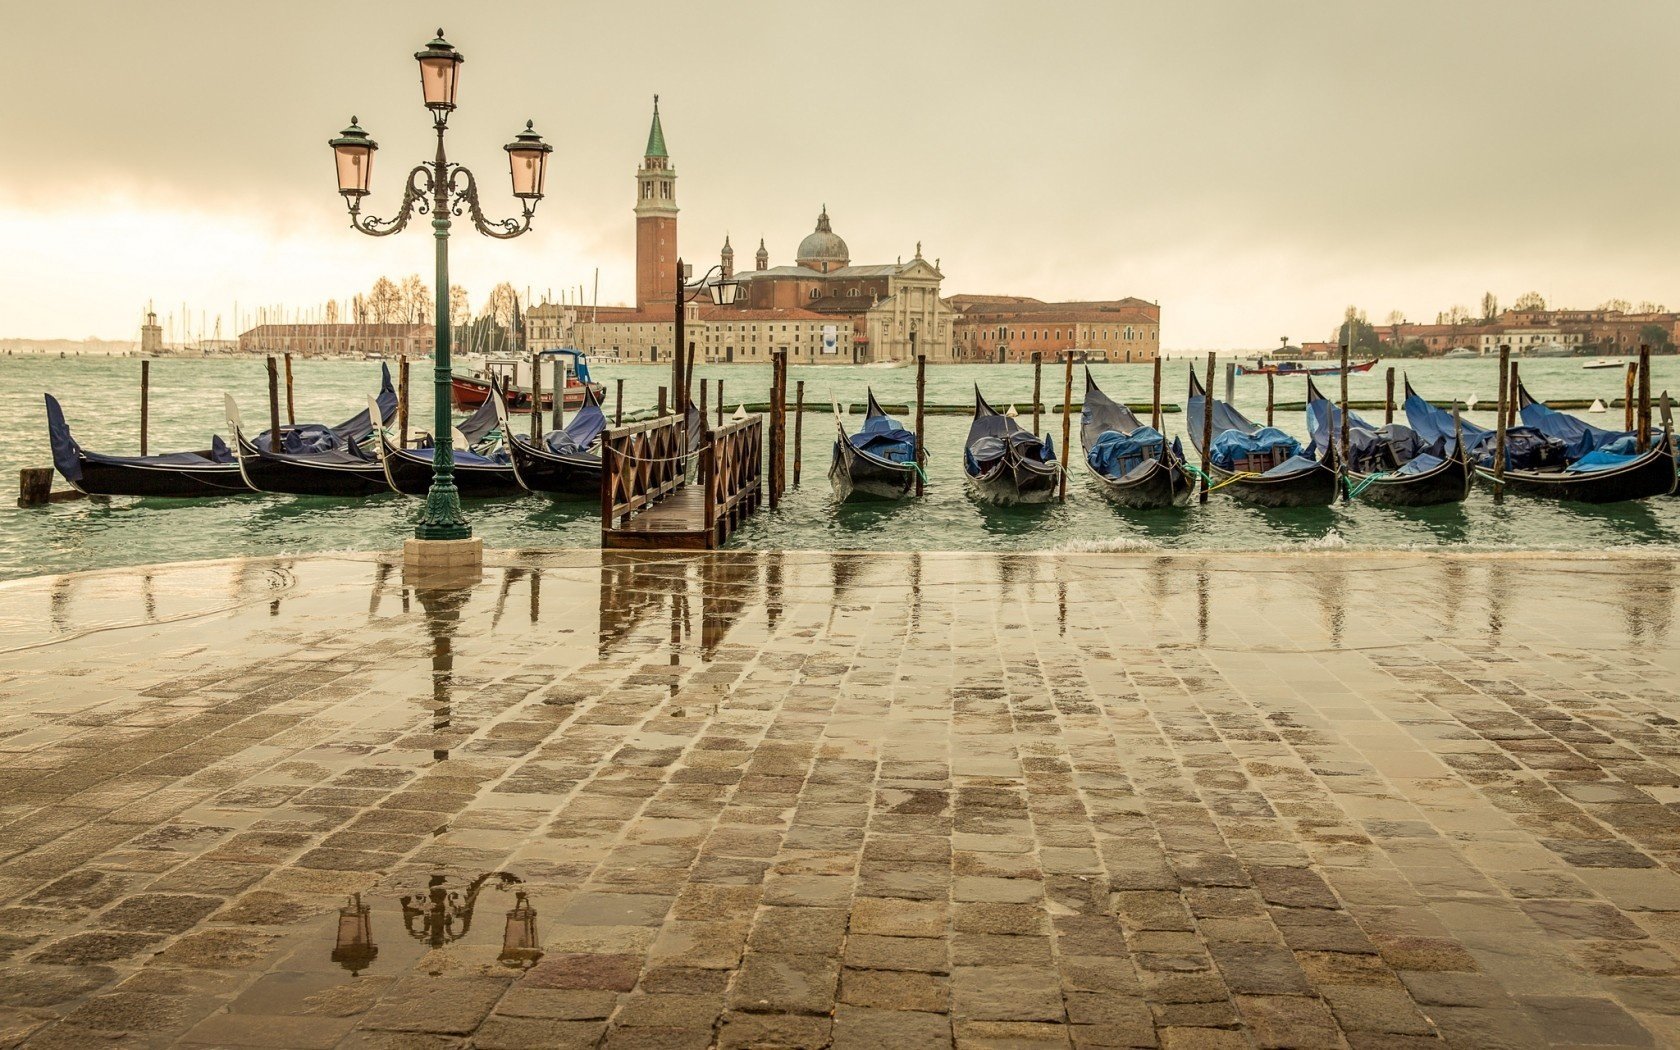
1261	465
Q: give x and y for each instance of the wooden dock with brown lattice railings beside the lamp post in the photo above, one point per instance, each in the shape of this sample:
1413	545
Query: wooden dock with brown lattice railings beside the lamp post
648	501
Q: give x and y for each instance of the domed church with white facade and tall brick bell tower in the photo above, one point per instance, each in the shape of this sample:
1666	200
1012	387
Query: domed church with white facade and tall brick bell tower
822	310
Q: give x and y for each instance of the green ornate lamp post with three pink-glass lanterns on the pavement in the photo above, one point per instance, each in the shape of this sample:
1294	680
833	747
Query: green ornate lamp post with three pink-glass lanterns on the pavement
441	189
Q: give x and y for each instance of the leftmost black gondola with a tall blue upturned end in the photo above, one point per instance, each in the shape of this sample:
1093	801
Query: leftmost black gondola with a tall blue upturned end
172	475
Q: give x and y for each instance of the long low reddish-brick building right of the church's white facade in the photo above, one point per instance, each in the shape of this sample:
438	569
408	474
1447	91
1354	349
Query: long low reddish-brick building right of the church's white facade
1012	328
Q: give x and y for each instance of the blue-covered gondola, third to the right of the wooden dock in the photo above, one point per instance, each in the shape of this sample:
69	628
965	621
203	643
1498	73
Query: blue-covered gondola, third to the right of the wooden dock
1133	463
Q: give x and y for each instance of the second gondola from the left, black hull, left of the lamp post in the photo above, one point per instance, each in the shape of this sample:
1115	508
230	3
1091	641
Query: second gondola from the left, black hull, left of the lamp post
344	468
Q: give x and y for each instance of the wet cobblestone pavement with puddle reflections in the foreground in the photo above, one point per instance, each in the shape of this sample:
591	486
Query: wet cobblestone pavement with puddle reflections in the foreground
853	801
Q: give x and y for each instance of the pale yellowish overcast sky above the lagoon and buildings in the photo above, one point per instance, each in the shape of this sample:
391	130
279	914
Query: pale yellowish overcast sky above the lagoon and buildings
1254	167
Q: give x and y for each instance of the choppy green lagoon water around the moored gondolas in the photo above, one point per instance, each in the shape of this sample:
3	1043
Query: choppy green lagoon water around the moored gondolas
102	401
